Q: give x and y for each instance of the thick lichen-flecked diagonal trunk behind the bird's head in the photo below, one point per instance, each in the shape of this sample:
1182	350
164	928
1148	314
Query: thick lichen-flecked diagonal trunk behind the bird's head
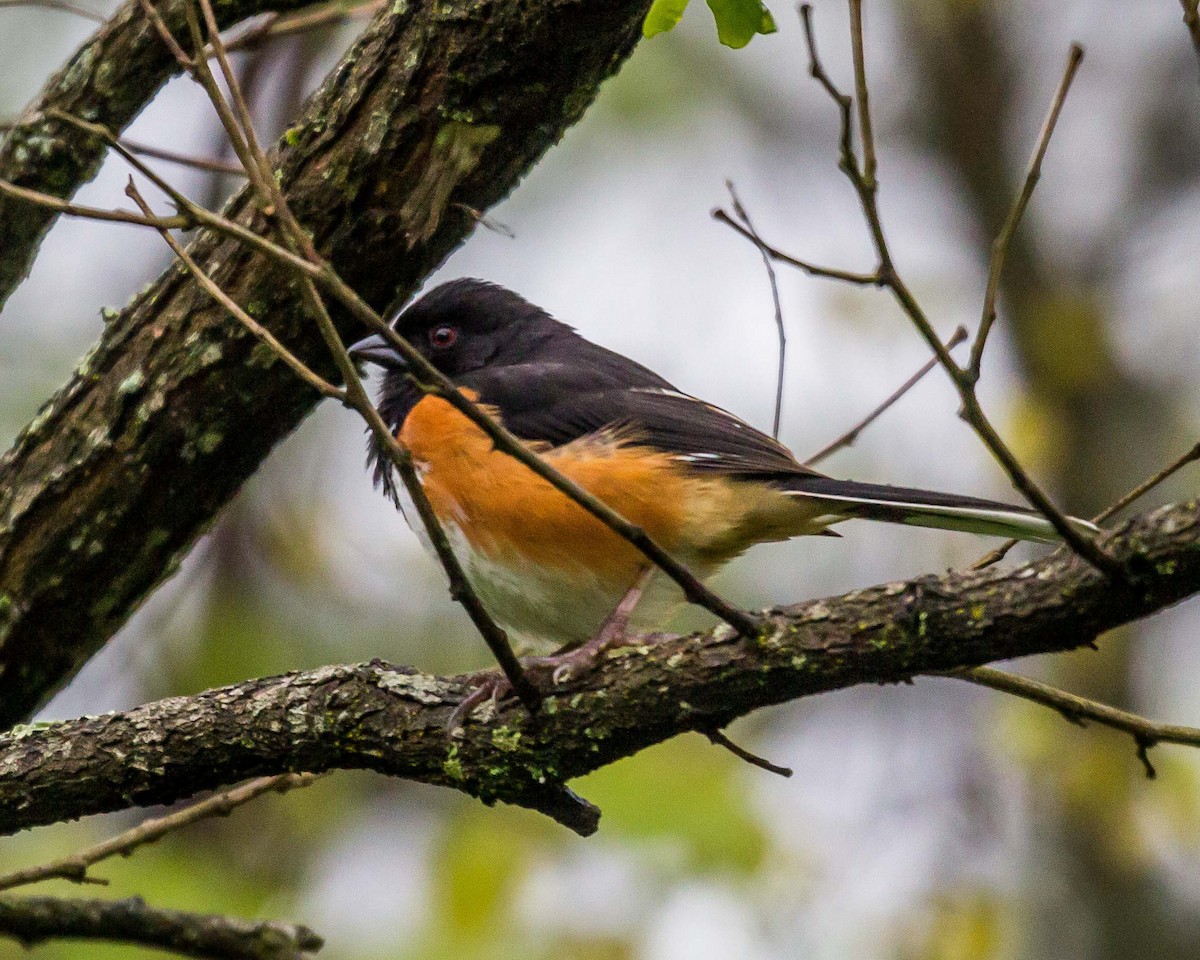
439	107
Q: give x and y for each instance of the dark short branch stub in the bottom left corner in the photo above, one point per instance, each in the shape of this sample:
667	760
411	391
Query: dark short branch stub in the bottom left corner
37	920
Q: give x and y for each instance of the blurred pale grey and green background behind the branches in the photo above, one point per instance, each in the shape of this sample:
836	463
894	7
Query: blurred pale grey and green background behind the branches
932	820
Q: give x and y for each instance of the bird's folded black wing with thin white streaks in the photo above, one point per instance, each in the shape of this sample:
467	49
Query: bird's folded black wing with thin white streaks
556	404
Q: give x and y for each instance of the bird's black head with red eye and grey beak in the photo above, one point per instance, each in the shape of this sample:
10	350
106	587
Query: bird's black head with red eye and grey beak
461	327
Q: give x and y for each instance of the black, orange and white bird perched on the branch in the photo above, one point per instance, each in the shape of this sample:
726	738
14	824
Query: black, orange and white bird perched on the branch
703	483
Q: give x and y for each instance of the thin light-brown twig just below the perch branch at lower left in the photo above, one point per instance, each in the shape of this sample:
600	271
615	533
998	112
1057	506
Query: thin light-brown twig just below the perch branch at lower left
75	868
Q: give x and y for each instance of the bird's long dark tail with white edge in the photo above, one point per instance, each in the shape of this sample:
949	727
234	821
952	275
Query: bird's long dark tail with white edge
926	508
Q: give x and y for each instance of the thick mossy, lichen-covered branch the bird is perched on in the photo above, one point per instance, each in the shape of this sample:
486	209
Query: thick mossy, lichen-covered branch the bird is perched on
394	721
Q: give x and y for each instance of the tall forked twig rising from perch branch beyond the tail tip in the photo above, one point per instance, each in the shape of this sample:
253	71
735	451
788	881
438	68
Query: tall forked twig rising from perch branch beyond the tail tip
866	187
